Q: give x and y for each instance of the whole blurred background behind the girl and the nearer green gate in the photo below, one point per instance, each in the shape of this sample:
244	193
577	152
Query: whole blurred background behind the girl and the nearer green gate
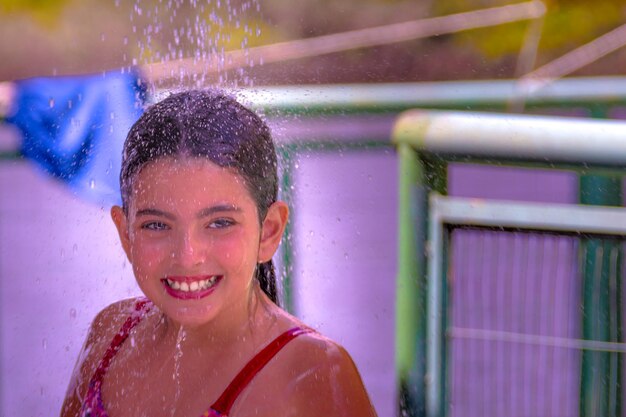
331	78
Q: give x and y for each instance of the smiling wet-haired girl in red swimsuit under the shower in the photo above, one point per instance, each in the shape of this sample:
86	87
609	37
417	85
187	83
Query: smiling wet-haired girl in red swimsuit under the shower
199	223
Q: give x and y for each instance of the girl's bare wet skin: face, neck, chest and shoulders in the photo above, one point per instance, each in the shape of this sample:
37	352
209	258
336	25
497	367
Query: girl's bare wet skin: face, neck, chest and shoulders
191	221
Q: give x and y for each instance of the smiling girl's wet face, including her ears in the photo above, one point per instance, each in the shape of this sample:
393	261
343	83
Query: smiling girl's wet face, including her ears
193	237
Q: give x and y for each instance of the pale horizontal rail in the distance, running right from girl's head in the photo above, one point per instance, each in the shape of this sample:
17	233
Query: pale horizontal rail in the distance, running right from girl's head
392	97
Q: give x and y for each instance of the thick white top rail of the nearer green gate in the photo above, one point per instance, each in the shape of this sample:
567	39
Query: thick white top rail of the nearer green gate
520	137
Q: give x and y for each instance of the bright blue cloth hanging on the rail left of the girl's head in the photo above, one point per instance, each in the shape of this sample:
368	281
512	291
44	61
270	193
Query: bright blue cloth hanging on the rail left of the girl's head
75	127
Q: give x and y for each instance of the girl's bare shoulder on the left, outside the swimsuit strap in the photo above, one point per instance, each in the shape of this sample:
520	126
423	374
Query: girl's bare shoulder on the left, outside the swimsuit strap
102	330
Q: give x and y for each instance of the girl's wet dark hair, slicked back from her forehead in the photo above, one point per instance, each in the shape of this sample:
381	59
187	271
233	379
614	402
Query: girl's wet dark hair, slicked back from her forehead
208	124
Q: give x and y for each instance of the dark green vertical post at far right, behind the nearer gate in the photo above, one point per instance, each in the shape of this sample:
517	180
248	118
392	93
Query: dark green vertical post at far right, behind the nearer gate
600	389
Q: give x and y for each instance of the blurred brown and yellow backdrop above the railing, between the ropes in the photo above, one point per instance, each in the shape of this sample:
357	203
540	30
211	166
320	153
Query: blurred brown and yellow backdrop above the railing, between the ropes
45	38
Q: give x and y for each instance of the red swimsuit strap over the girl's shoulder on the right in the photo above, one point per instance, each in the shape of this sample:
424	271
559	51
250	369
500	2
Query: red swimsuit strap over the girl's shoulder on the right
243	378
